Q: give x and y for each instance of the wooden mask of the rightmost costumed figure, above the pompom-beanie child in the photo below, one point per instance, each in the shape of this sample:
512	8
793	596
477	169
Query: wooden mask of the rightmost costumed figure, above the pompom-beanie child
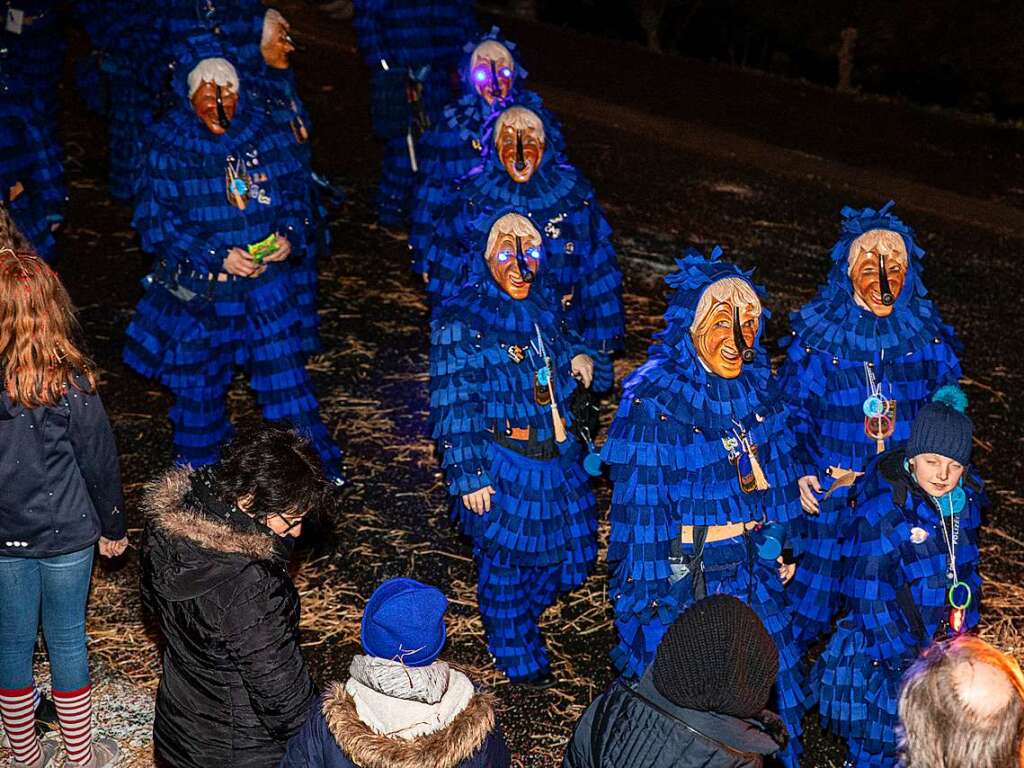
878	270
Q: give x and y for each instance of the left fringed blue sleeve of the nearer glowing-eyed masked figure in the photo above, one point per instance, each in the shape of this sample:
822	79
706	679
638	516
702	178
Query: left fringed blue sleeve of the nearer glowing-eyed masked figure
456	411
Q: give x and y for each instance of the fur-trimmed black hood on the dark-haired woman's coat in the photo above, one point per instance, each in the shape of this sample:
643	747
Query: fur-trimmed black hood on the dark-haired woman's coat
191	553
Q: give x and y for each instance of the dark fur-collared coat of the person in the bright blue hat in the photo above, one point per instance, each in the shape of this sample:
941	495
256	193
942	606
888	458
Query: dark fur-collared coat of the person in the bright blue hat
334	737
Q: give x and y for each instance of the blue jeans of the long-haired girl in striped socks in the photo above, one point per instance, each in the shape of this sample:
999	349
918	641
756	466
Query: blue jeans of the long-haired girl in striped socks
58	588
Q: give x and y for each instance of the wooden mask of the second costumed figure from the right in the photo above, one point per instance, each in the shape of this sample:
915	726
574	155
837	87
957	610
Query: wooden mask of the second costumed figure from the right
726	327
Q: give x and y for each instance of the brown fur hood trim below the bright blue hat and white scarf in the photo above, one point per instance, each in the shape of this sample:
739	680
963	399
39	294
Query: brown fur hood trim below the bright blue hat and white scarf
445	749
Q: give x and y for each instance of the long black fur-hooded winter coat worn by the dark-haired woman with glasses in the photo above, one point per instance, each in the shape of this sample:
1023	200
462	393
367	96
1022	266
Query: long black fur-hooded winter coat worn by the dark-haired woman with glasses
235	687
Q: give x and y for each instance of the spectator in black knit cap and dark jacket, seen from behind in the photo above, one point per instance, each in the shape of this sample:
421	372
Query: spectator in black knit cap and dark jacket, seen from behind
700	704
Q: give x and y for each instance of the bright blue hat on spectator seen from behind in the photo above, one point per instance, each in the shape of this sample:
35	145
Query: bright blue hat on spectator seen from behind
404	621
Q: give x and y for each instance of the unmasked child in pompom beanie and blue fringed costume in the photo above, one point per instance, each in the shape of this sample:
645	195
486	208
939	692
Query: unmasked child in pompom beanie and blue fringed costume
910	576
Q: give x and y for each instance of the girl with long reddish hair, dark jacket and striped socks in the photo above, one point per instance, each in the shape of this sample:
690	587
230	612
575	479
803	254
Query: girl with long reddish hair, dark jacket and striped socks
60	495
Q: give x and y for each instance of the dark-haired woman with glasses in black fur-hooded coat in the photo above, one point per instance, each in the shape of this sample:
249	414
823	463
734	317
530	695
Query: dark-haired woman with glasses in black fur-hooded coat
235	687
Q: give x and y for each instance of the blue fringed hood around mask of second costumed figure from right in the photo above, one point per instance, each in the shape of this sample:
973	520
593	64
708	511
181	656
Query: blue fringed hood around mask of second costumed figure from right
696	274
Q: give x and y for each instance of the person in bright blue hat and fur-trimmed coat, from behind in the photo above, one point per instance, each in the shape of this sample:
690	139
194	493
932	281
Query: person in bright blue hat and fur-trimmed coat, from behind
402	708
